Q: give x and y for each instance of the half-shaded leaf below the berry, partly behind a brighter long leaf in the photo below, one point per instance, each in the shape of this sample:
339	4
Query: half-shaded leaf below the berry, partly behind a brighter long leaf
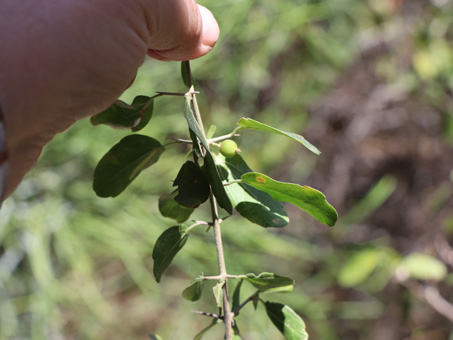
255	205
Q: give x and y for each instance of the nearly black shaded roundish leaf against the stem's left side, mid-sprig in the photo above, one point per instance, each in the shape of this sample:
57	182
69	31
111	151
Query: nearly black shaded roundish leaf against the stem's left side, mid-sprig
193	187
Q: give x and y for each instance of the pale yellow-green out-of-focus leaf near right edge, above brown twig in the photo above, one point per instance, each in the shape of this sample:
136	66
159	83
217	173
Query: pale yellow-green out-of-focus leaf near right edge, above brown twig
423	267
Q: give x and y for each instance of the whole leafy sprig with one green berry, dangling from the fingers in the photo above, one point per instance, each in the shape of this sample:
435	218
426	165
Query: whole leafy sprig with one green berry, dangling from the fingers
219	175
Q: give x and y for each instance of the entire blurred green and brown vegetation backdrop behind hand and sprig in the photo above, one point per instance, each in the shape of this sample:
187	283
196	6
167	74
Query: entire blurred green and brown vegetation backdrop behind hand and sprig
370	83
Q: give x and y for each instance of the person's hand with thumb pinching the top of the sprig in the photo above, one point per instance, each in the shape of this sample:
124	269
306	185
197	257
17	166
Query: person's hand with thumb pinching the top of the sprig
64	60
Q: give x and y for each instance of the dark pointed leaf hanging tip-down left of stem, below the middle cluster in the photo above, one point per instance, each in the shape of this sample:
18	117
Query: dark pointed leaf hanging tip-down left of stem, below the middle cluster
169	243
